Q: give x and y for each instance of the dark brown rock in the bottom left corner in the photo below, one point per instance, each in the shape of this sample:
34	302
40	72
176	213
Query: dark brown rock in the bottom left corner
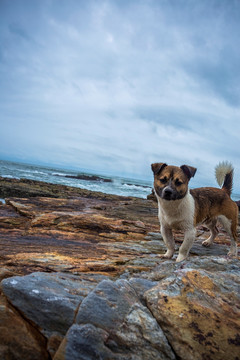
18	339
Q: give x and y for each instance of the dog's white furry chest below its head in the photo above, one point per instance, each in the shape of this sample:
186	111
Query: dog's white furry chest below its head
177	214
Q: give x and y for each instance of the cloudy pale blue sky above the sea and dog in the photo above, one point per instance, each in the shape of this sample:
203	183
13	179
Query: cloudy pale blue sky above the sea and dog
113	86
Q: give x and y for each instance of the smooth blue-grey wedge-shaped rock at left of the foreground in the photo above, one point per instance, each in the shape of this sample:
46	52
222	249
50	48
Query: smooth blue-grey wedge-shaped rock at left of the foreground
48	300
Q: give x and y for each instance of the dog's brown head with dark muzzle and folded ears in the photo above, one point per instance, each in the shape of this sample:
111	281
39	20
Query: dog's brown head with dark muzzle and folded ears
171	182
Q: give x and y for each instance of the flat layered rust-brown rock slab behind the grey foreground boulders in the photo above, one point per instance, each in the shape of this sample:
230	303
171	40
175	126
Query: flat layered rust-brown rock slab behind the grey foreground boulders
101	234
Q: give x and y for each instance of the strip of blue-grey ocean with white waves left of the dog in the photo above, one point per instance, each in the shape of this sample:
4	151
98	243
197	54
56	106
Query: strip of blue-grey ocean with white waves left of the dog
95	182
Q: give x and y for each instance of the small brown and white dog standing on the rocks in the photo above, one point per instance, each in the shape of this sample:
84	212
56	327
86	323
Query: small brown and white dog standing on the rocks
182	209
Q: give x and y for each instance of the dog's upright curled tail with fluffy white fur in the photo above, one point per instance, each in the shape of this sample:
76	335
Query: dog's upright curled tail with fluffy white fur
224	176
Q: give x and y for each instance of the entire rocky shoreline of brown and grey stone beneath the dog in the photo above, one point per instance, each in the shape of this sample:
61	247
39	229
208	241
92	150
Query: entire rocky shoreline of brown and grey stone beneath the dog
81	278
